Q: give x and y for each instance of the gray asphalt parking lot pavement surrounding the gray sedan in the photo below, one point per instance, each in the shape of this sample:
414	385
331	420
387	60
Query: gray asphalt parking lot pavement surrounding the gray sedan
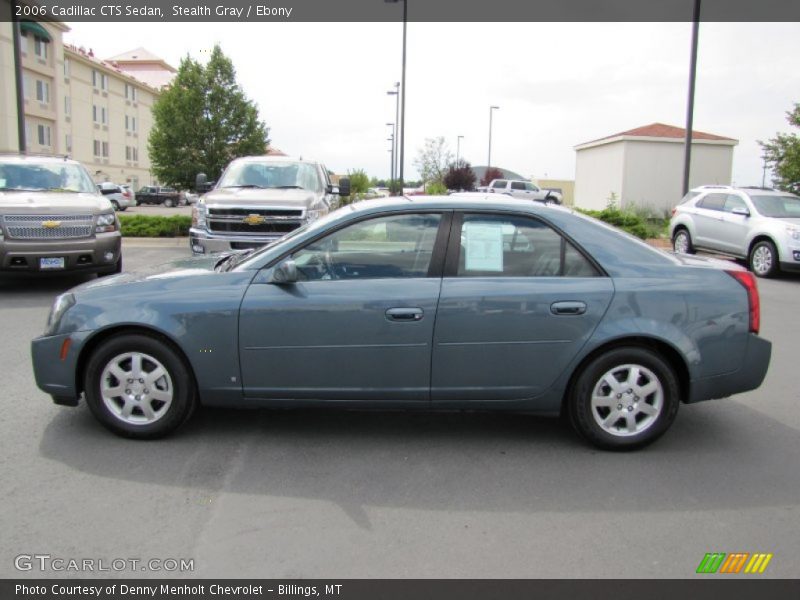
349	494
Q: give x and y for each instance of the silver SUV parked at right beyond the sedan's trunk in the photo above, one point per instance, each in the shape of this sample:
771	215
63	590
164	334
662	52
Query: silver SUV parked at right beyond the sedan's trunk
760	225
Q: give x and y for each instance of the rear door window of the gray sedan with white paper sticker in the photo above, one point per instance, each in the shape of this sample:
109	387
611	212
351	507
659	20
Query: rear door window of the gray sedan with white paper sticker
511	246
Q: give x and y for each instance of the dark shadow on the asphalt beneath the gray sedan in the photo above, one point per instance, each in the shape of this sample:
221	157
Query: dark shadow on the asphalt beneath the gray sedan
718	455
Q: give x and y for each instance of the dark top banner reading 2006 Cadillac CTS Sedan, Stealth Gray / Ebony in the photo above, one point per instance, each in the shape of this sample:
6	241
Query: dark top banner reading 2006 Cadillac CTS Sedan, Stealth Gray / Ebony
392	10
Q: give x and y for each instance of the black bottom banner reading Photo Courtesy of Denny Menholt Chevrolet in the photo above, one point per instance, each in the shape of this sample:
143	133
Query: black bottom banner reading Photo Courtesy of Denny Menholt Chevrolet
734	588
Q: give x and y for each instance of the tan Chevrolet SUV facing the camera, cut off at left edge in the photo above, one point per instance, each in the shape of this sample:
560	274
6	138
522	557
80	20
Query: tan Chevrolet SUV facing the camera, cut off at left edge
53	219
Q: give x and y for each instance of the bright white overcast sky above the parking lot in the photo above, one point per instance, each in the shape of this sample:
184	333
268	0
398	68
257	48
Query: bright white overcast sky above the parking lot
321	87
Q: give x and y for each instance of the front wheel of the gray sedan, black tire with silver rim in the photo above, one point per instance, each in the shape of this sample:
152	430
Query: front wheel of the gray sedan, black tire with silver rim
177	381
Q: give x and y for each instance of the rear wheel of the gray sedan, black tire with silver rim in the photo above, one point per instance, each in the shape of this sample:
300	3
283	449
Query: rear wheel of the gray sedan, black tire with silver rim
663	402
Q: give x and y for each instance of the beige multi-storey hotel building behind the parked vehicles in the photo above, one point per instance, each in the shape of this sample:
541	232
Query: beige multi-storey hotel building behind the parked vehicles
96	111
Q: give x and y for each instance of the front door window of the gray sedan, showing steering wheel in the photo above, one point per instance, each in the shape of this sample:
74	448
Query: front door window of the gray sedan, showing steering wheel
398	246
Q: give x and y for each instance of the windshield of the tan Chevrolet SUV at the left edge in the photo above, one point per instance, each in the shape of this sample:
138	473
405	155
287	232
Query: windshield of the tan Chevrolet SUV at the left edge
52	176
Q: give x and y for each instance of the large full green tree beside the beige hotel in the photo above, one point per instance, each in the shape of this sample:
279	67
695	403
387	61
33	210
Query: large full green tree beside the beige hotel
202	122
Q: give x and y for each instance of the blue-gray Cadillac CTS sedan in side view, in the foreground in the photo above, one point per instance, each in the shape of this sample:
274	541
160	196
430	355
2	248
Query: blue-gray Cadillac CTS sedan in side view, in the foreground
464	302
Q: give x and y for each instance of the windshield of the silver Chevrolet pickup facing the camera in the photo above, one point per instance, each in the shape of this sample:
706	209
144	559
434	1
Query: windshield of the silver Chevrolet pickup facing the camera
272	175
